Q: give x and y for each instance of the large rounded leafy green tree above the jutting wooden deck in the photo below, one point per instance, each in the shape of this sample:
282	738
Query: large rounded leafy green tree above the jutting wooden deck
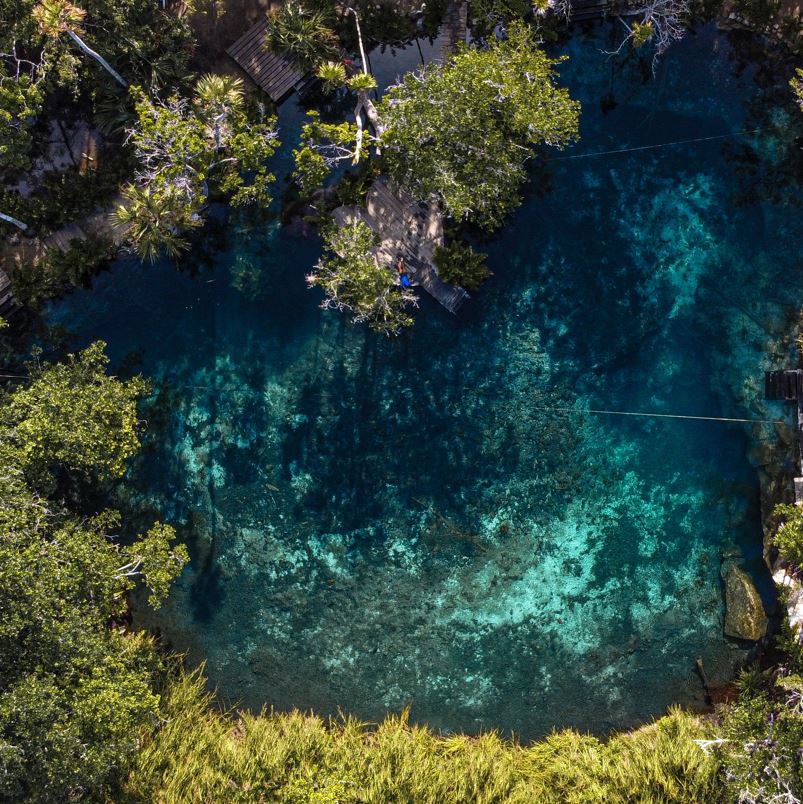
463	131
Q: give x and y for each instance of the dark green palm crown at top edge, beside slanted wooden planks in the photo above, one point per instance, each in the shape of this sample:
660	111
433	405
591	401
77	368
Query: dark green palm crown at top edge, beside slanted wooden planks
304	34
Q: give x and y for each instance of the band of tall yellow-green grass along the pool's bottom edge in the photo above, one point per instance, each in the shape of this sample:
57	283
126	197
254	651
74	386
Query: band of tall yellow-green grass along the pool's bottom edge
201	755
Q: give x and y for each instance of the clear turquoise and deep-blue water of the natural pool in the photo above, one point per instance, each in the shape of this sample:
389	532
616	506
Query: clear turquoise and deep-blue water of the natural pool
375	524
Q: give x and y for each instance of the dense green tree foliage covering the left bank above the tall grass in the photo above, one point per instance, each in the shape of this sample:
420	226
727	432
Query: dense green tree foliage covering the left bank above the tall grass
75	694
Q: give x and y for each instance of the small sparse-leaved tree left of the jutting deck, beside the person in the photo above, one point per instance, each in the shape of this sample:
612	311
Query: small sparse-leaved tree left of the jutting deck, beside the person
354	281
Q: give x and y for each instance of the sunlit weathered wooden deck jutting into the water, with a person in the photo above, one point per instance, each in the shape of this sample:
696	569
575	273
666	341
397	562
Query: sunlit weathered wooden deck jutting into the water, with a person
409	230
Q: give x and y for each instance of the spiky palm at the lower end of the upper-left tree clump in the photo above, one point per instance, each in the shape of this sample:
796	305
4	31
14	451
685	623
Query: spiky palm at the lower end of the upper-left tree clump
155	220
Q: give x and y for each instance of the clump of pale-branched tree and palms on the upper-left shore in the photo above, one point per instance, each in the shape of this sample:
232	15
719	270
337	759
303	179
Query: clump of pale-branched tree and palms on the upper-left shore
181	146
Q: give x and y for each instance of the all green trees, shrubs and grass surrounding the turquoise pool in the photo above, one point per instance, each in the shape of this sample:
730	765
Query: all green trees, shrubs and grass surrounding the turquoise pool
91	710
